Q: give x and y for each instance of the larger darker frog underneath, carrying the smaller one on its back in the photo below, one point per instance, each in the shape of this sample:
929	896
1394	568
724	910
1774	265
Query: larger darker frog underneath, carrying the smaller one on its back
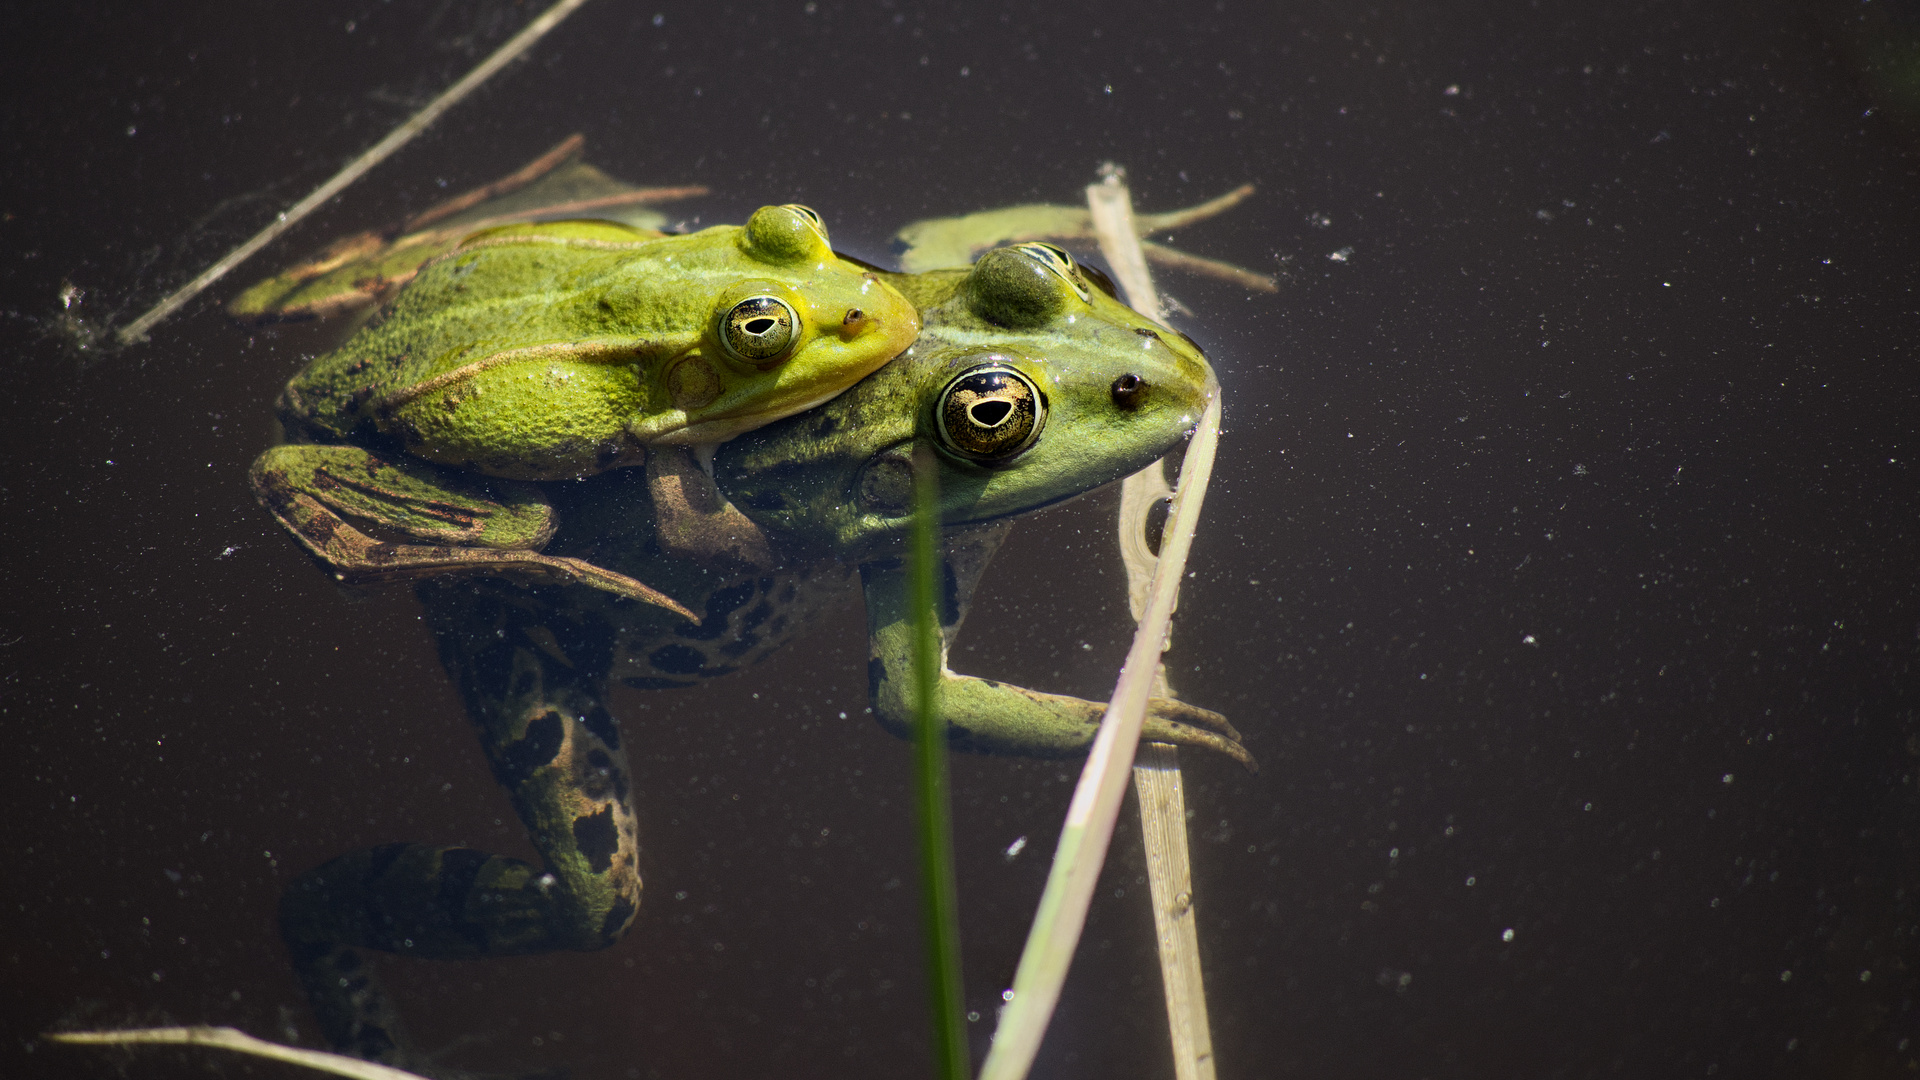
1028	385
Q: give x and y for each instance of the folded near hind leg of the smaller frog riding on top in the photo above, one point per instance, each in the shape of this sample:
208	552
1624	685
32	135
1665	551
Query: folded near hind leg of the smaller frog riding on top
462	528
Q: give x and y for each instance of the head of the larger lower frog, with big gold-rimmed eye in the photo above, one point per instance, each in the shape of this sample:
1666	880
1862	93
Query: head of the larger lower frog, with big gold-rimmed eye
1030	383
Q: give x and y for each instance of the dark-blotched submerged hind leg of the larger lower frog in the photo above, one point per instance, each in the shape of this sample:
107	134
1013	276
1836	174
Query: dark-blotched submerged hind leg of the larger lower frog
533	689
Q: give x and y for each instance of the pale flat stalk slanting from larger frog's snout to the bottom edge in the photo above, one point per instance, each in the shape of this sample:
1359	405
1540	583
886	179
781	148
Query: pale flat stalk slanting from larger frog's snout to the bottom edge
1095	808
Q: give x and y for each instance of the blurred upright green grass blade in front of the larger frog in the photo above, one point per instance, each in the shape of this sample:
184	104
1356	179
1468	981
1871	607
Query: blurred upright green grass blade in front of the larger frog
932	798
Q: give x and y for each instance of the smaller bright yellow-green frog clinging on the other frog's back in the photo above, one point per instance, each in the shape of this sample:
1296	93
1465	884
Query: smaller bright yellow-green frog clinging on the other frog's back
562	351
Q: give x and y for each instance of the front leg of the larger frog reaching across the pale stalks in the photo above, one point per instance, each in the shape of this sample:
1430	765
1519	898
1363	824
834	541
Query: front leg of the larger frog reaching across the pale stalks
980	714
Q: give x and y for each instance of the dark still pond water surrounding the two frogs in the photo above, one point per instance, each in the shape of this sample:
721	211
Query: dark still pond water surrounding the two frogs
1560	566
